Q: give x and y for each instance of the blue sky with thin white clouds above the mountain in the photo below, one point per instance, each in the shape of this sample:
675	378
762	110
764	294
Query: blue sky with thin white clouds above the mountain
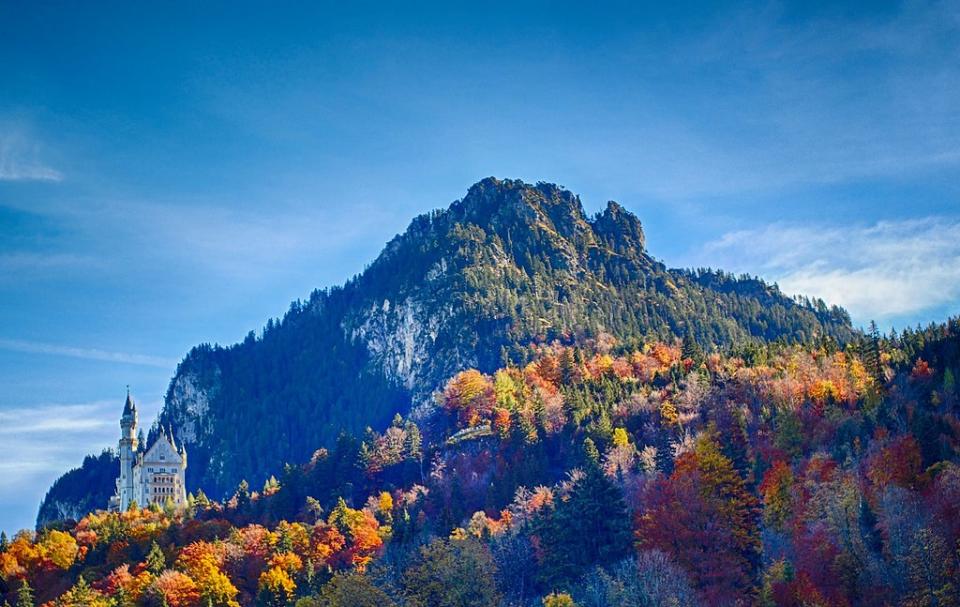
178	174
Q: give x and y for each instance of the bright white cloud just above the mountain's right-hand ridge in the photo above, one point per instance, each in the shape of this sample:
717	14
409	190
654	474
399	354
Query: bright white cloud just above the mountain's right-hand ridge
886	271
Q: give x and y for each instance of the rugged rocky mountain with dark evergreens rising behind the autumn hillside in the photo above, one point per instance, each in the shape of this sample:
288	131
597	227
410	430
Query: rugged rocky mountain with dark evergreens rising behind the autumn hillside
474	285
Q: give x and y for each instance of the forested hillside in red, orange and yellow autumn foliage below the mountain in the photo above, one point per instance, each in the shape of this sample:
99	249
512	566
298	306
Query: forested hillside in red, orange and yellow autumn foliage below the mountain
598	474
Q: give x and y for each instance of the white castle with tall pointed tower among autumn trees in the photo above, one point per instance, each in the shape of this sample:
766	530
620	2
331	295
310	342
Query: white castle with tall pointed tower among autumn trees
152	476
